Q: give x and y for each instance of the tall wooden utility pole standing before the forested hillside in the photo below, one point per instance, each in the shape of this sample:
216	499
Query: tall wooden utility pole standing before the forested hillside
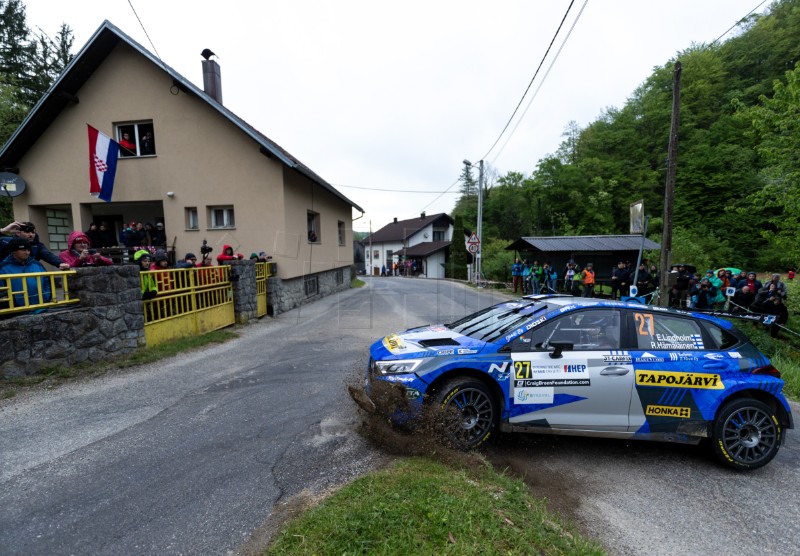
669	189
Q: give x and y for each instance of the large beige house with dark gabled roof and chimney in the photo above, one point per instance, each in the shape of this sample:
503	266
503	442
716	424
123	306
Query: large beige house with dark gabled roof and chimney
190	163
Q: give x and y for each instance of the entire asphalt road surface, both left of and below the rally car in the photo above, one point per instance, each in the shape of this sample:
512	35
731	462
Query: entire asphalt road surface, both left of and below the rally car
193	455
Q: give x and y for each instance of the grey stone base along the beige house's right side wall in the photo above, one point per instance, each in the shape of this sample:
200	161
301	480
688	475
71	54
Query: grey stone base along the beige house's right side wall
285	295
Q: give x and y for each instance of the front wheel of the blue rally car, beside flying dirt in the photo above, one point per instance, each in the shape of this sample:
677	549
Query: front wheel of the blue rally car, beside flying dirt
468	413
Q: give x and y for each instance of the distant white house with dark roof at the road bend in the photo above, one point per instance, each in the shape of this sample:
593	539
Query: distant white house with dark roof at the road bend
424	241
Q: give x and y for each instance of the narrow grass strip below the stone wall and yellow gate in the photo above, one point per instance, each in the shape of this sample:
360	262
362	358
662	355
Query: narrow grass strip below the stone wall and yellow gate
54	375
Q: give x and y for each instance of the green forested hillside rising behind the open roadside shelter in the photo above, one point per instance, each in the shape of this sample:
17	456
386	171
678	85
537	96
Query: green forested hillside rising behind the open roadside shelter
738	173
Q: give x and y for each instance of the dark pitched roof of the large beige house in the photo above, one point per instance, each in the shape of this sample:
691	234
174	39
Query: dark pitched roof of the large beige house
66	87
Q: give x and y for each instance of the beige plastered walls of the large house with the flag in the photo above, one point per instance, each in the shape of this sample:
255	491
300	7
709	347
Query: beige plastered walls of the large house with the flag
201	156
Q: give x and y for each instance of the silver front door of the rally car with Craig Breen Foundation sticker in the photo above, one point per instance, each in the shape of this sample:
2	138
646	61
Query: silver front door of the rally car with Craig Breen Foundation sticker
585	387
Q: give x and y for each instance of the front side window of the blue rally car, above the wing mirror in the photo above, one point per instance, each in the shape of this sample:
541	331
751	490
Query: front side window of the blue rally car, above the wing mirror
591	329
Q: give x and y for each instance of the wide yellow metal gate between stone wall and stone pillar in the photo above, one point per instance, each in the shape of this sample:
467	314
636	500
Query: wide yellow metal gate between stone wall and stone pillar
190	301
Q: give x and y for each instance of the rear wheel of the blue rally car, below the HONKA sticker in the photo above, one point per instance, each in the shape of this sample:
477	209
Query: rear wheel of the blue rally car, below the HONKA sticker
747	434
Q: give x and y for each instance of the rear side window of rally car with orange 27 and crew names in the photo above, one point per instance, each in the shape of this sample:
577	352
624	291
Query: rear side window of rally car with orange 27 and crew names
655	330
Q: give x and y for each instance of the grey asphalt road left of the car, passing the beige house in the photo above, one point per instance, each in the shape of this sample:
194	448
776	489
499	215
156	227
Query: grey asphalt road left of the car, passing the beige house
189	456
